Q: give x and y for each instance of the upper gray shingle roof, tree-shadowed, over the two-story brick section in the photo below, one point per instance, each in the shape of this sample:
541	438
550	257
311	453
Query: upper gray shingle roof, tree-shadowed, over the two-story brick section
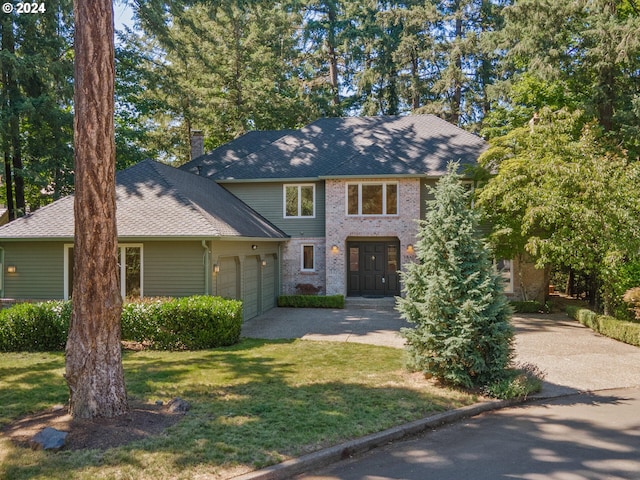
353	146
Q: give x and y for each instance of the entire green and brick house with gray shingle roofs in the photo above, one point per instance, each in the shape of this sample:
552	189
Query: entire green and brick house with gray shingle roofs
331	207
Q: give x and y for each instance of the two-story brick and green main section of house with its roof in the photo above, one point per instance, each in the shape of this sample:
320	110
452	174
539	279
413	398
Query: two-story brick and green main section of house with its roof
347	191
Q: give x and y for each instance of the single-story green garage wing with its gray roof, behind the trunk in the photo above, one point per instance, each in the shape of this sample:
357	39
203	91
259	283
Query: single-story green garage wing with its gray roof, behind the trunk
179	234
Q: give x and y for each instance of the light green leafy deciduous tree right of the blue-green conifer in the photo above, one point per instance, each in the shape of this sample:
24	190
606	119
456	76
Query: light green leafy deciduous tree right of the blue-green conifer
565	196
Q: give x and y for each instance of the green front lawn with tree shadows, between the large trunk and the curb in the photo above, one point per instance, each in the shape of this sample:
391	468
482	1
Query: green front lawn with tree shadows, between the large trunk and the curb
249	408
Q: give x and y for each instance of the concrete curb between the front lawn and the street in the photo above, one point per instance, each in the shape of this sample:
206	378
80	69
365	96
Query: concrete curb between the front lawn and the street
345	450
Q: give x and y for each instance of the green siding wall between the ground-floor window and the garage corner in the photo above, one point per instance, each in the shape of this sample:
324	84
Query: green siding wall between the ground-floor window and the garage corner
174	269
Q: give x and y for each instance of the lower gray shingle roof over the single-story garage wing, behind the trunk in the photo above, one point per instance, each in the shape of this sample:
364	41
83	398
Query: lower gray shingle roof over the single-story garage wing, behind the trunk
156	200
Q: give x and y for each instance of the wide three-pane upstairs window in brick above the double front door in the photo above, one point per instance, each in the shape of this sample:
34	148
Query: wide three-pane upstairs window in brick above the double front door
372	198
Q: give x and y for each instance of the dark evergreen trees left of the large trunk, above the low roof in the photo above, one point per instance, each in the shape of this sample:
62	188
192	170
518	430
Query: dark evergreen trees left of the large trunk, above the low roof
36	122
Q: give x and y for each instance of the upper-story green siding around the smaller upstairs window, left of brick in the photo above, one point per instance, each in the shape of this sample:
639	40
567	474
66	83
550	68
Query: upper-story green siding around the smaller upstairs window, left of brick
267	200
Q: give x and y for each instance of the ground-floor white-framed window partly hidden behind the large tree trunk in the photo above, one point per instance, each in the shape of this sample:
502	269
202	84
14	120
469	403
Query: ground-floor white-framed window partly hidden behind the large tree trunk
131	269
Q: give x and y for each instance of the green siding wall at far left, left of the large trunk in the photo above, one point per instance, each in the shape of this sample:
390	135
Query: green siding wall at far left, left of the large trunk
39	270
